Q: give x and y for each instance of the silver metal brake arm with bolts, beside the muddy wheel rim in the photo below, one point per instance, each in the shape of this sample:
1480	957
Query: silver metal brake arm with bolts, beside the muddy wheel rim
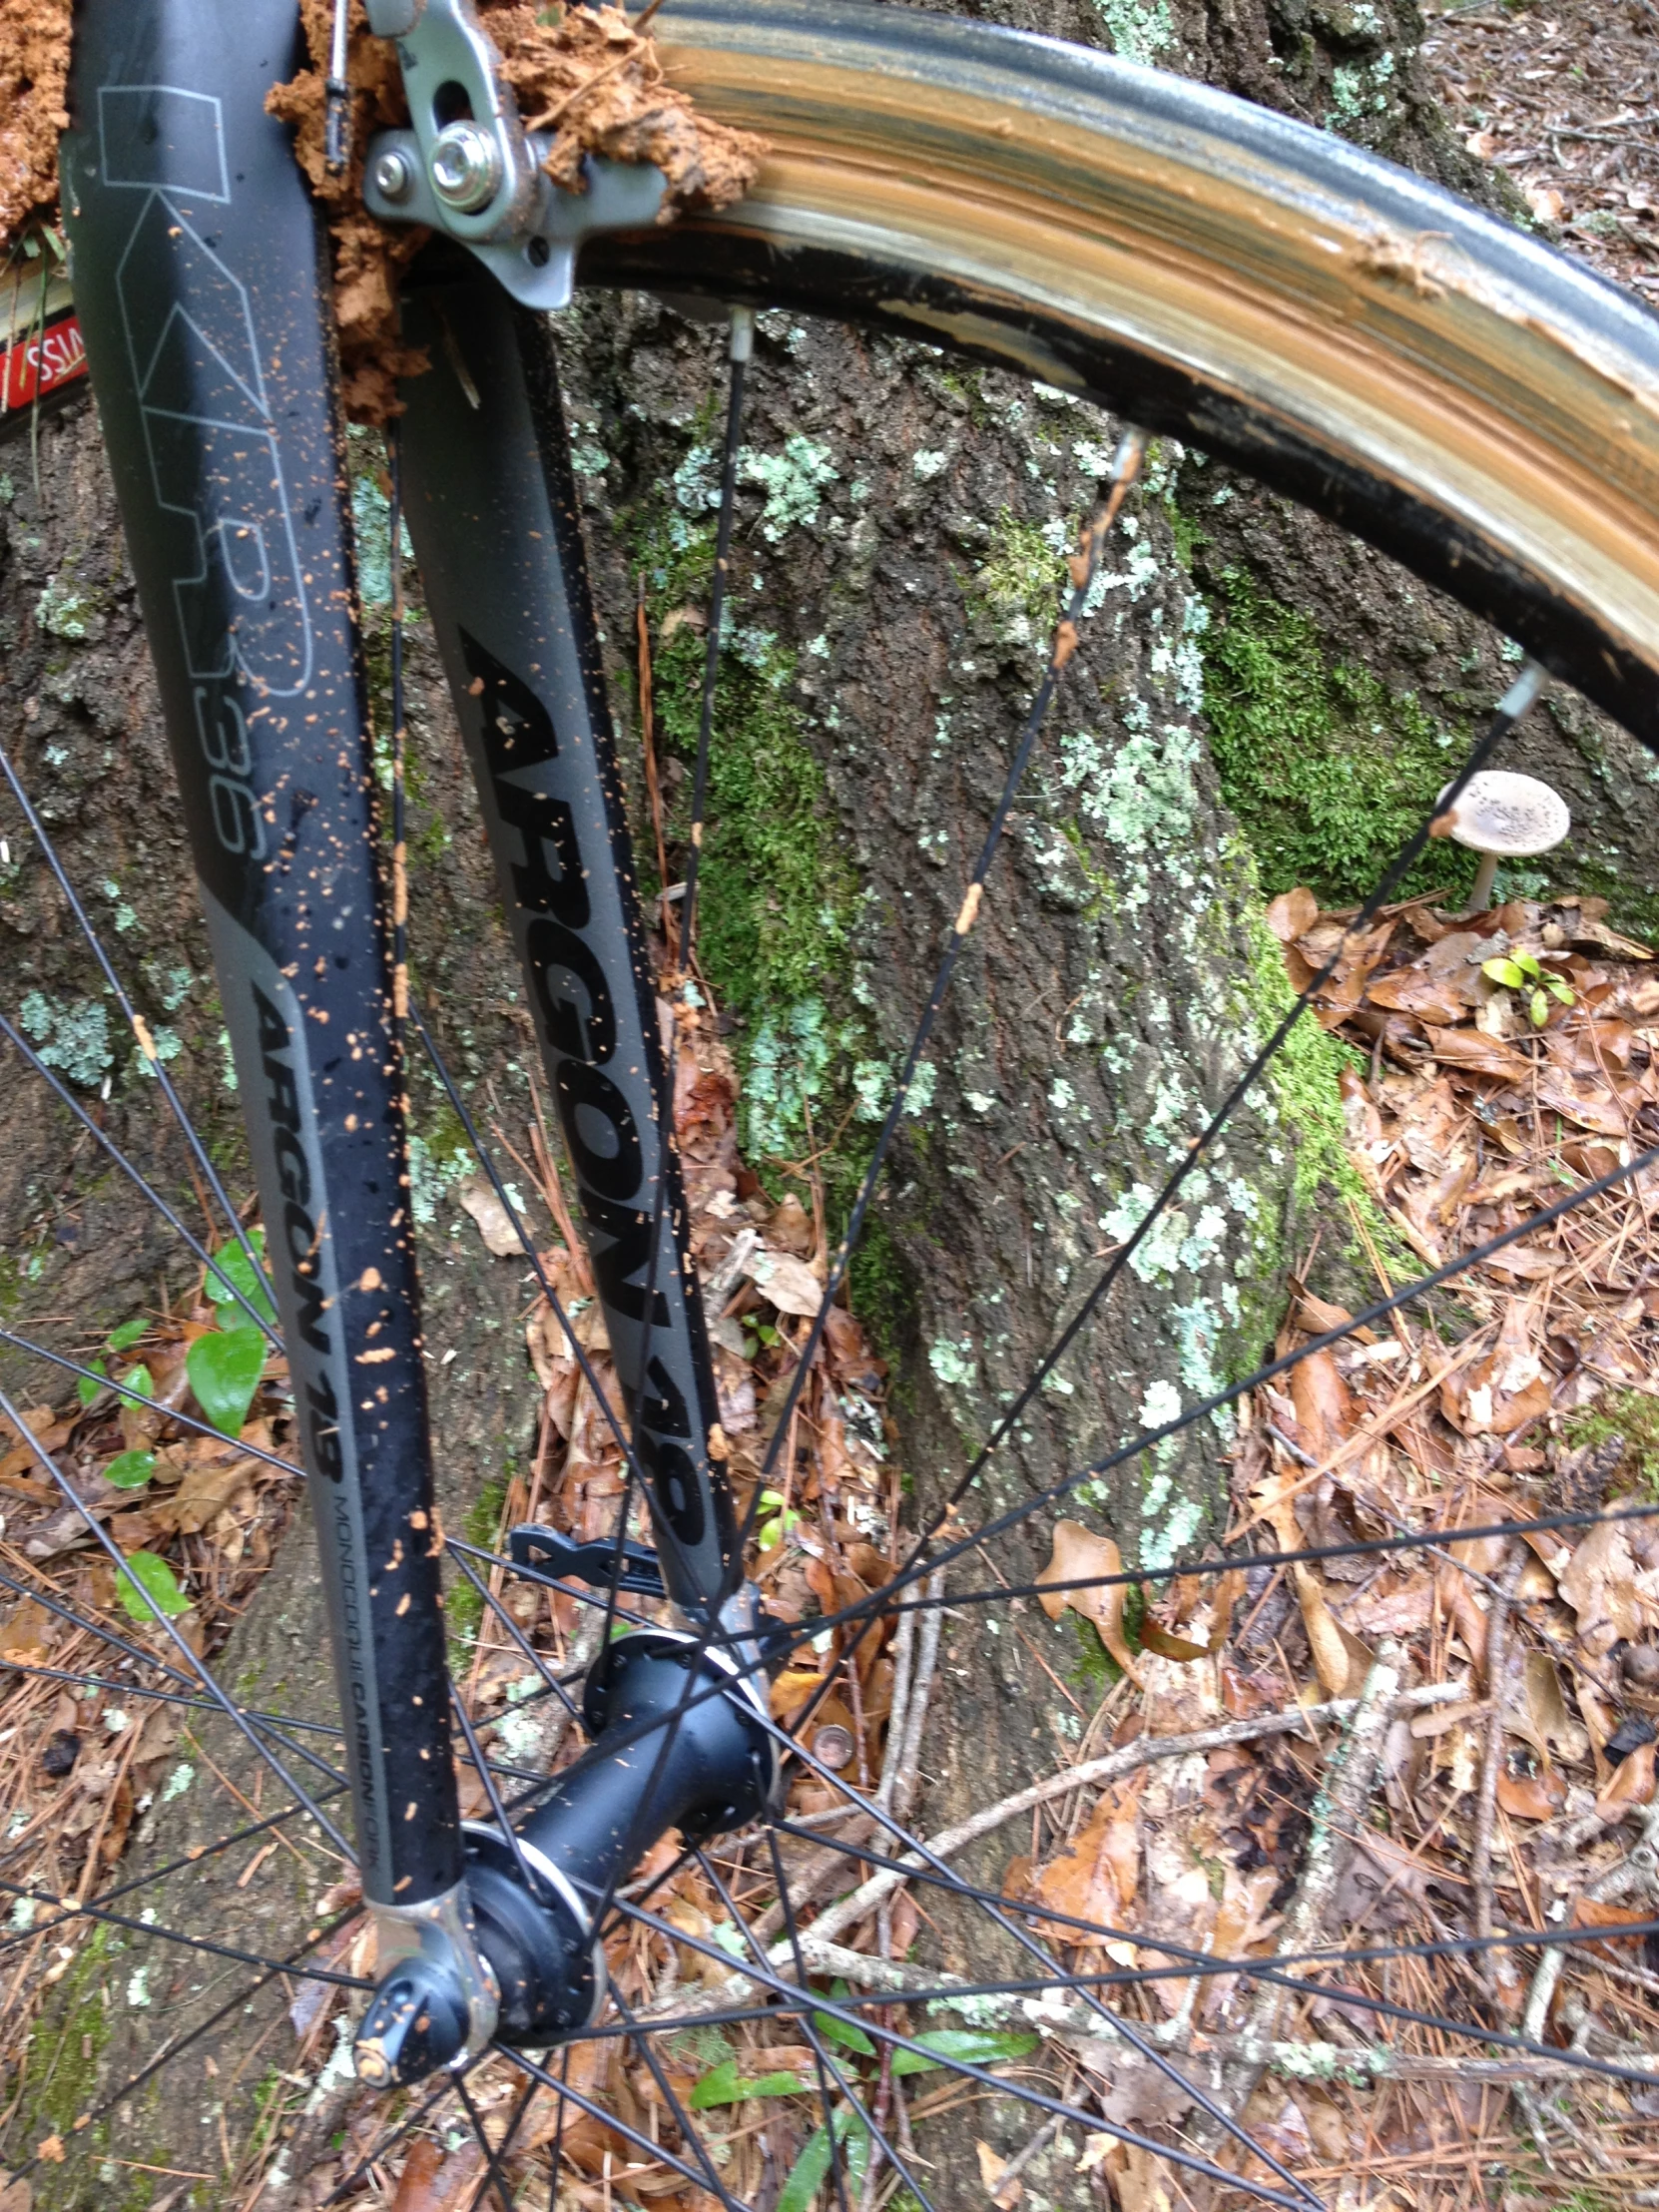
472	171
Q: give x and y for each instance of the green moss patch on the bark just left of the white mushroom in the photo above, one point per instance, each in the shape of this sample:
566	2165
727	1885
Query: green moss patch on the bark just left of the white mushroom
1326	769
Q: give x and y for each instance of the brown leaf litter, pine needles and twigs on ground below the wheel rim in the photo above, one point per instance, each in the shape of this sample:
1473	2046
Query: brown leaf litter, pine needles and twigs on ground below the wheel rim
1350	1755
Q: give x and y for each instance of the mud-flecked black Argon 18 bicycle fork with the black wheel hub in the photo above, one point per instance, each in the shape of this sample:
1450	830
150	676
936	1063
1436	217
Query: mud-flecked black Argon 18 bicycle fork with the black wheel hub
200	284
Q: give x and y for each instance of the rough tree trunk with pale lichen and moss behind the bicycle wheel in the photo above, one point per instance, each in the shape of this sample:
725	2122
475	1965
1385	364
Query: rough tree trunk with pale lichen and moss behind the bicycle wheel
897	578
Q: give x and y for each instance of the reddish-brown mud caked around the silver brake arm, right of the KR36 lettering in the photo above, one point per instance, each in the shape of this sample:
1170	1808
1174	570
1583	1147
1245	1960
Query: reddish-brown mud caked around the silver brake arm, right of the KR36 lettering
589	79
